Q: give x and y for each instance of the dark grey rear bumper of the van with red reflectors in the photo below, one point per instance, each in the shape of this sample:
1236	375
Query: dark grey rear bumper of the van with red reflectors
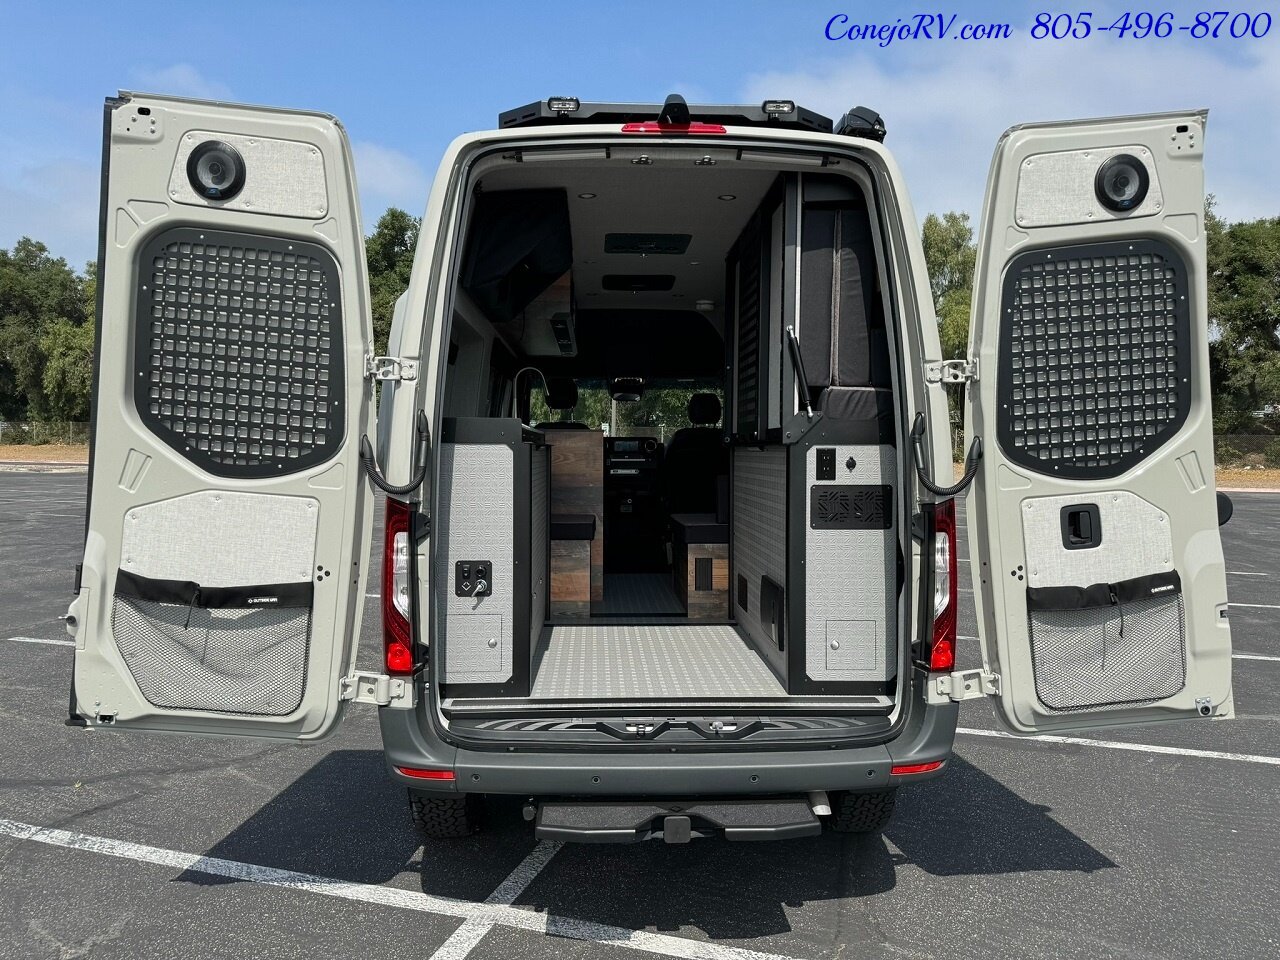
410	742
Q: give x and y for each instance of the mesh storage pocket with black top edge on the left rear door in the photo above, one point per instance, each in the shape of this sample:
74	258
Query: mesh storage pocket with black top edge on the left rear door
226	650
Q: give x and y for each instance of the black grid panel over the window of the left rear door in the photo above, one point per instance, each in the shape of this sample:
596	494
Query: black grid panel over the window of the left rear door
239	351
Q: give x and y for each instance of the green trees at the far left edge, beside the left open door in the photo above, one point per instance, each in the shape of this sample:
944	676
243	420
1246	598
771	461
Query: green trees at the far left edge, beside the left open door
43	307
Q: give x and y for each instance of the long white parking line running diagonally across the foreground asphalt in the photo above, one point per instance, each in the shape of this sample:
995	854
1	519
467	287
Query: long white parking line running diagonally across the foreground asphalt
548	925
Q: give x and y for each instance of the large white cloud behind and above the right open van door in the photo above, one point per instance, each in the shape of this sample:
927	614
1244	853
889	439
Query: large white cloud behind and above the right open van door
947	104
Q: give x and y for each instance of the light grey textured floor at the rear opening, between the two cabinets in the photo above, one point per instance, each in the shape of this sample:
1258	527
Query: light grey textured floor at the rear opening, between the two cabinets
650	661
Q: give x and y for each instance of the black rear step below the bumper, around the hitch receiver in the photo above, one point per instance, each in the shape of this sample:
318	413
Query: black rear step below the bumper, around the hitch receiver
675	822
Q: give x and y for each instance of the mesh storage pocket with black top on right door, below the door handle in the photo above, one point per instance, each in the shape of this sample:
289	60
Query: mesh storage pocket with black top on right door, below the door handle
1108	644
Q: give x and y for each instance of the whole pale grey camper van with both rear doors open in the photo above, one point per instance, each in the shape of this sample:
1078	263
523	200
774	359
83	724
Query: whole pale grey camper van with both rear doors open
670	520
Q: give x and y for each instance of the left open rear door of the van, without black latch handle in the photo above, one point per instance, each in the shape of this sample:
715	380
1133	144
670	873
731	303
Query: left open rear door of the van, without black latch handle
228	523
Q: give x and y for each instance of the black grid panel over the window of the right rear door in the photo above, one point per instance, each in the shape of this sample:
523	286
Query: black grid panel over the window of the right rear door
1095	356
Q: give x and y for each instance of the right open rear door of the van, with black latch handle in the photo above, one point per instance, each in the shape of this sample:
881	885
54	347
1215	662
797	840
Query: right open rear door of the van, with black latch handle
1094	533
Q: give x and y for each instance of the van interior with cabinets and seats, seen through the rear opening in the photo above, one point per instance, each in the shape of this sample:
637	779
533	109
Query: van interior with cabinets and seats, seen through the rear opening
671	467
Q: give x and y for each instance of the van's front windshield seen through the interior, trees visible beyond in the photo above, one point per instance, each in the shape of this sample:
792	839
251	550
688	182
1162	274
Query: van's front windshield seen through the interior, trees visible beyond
662	410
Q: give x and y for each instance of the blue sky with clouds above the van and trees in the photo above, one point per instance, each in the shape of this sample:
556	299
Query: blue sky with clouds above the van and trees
405	79
